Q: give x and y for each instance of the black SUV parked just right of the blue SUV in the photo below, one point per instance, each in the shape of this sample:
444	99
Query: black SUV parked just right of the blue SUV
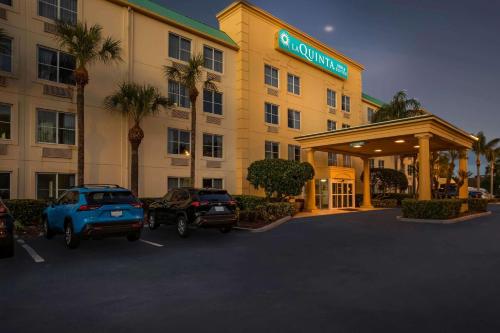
190	208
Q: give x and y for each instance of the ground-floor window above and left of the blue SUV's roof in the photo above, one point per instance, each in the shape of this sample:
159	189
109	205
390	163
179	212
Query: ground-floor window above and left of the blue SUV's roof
52	185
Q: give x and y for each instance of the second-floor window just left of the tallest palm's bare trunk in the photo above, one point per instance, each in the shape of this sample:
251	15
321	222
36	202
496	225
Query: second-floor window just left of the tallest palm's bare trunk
55	127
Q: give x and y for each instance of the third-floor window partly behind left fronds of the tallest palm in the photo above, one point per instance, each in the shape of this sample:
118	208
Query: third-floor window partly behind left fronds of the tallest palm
56	66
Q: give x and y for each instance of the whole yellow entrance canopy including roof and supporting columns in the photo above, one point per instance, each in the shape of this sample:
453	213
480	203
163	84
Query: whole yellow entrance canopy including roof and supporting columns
410	136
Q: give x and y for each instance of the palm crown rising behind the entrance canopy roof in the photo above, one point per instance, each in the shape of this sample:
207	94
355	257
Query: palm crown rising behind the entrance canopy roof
399	107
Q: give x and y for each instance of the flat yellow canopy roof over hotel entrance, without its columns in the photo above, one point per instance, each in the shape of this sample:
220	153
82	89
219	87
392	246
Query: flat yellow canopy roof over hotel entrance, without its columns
395	137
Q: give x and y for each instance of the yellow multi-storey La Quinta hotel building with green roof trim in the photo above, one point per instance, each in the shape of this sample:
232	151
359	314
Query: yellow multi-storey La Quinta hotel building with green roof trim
275	83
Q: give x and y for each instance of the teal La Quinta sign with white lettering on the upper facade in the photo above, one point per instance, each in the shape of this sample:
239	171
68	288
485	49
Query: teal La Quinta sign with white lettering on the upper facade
294	46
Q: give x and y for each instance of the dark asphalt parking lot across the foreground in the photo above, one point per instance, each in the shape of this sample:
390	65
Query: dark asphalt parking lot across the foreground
359	272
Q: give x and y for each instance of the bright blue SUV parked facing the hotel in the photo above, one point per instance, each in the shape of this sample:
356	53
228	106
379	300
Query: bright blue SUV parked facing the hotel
94	211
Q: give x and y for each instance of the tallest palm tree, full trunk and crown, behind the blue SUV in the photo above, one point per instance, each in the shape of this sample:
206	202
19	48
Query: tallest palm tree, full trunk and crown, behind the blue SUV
88	46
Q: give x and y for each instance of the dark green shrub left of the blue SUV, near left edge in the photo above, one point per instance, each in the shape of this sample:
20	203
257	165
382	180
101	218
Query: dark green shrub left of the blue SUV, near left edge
25	211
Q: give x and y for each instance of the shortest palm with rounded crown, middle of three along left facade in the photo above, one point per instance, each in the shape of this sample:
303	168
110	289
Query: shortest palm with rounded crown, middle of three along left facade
136	102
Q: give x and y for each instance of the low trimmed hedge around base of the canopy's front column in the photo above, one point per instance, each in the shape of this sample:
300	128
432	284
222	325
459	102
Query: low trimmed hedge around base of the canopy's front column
431	209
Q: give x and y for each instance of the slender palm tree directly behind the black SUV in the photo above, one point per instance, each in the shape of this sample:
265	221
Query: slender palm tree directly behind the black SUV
190	76
